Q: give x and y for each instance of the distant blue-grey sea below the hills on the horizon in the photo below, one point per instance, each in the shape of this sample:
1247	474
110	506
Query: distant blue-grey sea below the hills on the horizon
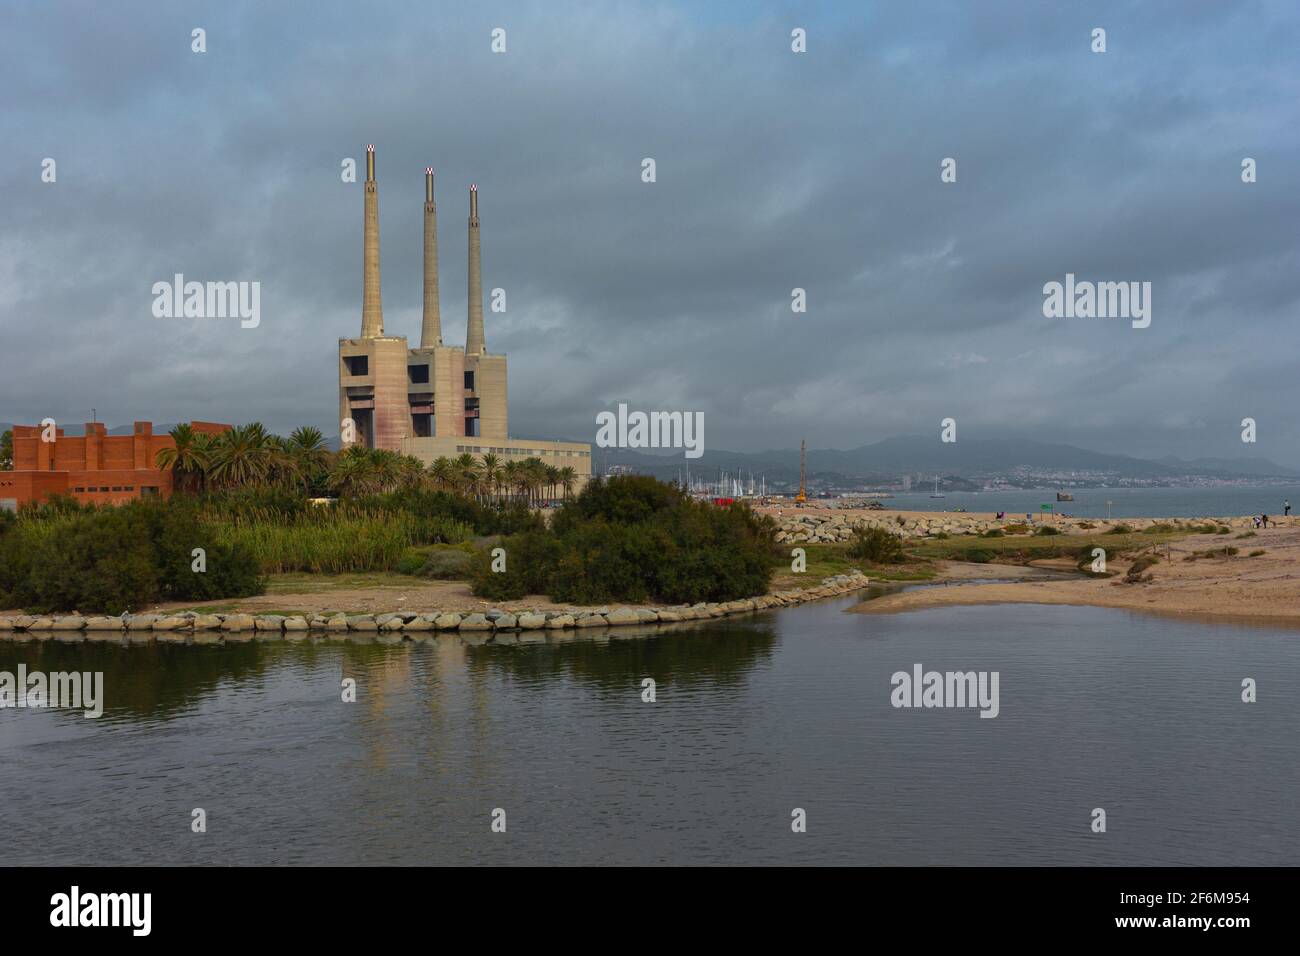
1126	503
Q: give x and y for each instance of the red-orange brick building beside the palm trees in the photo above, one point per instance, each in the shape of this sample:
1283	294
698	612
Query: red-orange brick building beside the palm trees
97	468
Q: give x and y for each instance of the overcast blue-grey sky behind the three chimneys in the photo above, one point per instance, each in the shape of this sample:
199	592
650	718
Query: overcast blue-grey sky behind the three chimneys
775	171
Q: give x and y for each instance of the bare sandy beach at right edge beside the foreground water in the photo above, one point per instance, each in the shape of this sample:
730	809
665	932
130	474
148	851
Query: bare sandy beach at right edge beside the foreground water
1263	589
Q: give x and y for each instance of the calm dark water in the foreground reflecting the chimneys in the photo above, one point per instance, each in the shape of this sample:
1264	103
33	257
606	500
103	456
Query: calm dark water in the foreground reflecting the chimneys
1141	716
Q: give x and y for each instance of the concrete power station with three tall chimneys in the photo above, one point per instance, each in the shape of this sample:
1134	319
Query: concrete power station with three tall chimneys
437	400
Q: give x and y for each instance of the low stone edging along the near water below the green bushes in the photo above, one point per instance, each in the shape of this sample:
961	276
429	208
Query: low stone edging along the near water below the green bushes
196	628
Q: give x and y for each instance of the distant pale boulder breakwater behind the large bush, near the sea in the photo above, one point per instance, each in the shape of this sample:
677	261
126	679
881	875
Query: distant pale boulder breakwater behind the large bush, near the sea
830	526
